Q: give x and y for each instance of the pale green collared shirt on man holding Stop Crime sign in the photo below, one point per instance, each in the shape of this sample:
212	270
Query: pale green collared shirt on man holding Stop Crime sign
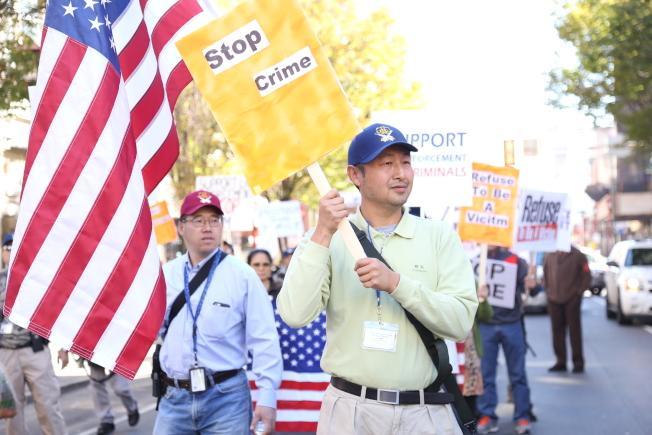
436	285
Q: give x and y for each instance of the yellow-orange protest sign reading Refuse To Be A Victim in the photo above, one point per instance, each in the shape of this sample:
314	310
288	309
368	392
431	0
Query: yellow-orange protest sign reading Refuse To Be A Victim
491	217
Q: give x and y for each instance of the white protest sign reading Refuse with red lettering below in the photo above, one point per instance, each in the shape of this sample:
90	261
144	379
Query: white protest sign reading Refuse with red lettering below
542	221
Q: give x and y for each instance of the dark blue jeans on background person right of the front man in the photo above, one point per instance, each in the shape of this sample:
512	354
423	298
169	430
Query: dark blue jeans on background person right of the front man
510	336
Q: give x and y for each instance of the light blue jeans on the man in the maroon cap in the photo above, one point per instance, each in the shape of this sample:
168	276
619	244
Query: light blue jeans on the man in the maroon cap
222	409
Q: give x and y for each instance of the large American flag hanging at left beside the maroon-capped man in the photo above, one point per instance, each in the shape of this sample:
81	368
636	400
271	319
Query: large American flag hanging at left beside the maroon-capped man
84	270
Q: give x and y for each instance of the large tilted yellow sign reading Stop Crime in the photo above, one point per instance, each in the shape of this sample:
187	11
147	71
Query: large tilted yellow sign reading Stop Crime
270	87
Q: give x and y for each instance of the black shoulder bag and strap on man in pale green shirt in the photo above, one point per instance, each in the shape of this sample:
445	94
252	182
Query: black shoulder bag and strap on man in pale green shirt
437	350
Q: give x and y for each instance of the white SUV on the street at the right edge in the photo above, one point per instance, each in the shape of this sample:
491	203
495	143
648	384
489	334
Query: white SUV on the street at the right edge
629	281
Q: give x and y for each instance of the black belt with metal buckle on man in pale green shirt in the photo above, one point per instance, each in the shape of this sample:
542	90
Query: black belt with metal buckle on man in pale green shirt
393	397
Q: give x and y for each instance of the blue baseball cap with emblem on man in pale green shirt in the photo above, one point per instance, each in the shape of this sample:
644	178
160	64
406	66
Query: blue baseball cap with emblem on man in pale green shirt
371	141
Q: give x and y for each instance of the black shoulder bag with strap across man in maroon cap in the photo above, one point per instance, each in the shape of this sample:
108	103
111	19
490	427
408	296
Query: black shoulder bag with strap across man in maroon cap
158	376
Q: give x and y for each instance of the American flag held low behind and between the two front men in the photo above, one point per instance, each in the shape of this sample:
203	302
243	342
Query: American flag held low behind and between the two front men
303	383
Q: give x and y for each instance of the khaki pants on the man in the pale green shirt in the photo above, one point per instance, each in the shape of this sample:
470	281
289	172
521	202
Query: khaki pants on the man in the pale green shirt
345	414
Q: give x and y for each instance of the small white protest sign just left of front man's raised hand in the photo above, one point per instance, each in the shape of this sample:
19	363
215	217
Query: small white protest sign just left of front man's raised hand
282	218
